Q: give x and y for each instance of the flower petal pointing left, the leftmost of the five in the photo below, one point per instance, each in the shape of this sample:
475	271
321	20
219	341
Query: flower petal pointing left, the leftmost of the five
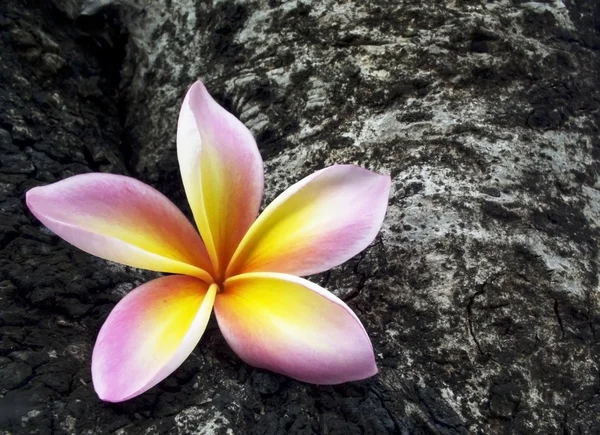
121	219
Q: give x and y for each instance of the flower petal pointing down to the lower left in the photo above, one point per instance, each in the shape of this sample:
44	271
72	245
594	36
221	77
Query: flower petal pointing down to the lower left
149	334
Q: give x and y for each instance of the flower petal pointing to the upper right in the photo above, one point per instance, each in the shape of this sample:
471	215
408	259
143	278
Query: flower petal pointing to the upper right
319	222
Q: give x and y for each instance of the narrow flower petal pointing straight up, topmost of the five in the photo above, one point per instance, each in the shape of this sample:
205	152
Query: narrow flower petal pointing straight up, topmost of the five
222	173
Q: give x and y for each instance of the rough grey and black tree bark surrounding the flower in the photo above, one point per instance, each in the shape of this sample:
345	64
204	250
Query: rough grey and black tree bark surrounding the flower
481	293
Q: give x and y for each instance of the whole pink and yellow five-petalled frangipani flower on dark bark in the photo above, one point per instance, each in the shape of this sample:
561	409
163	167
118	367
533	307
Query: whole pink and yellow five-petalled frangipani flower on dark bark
244	267
